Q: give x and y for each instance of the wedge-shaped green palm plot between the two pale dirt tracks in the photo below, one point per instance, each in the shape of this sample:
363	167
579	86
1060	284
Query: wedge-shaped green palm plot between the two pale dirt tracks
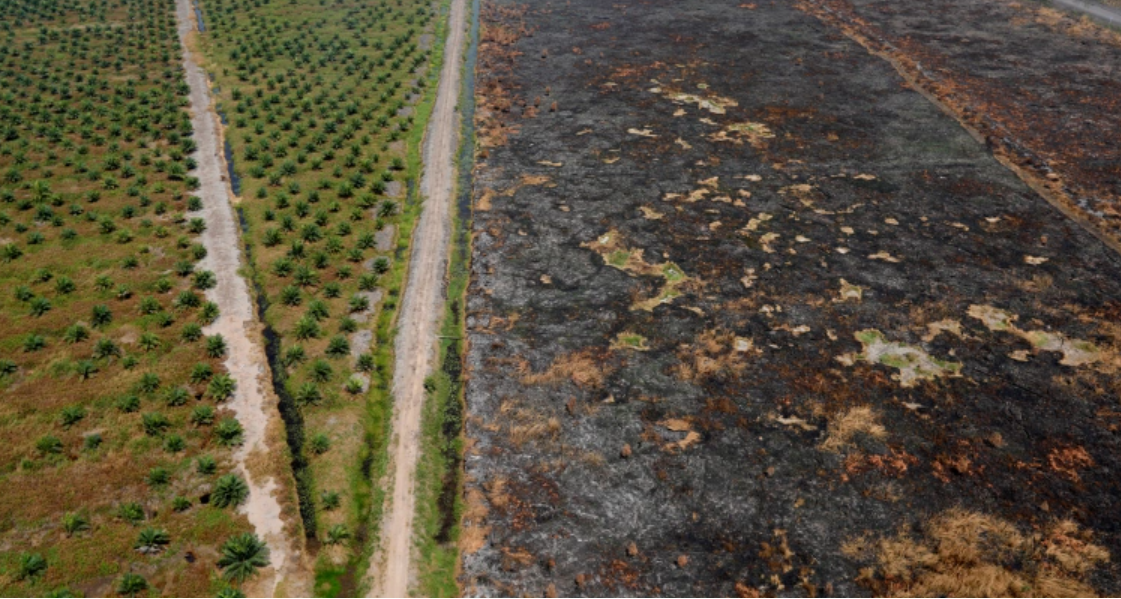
314	108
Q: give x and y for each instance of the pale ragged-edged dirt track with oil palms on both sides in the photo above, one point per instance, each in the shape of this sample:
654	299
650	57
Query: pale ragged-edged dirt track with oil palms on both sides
246	360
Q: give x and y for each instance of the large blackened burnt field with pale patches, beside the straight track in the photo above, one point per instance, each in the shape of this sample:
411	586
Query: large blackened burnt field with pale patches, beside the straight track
748	314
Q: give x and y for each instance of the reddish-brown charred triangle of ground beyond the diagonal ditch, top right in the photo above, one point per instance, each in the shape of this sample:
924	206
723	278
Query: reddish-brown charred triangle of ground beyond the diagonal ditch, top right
1042	86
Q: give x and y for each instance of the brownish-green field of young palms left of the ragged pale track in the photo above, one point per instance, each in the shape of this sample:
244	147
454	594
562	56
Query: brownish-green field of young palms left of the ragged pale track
115	441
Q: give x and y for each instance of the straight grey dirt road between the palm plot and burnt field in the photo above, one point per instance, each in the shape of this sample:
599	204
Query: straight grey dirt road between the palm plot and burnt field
391	569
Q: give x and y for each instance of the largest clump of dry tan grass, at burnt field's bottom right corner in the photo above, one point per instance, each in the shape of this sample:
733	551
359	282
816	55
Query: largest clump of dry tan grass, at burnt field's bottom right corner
965	554
